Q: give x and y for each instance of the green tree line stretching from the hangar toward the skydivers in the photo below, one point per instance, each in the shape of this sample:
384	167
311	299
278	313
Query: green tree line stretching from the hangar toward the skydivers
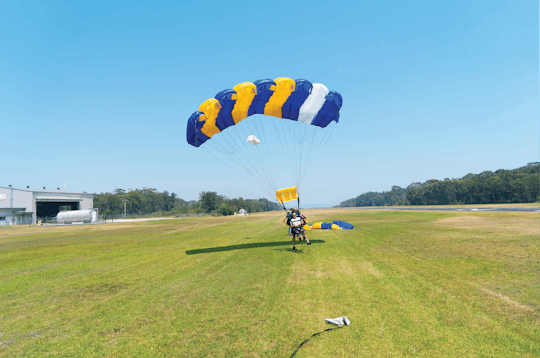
148	201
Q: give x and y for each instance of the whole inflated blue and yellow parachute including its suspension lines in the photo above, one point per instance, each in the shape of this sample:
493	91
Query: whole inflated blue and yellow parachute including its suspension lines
287	124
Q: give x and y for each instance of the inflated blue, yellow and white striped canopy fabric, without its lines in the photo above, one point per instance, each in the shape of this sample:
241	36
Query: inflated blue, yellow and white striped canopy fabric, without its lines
299	100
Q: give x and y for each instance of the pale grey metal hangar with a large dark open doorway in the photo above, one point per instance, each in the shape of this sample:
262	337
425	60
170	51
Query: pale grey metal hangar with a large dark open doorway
28	206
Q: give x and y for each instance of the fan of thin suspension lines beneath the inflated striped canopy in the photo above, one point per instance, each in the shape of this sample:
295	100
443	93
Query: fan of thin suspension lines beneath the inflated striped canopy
302	143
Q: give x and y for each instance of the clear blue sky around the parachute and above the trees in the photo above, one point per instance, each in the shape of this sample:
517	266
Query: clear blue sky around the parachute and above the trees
97	94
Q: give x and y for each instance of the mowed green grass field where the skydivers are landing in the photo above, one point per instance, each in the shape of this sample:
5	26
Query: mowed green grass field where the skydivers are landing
426	284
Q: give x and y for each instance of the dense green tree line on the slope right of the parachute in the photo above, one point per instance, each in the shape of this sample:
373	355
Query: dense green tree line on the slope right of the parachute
521	185
